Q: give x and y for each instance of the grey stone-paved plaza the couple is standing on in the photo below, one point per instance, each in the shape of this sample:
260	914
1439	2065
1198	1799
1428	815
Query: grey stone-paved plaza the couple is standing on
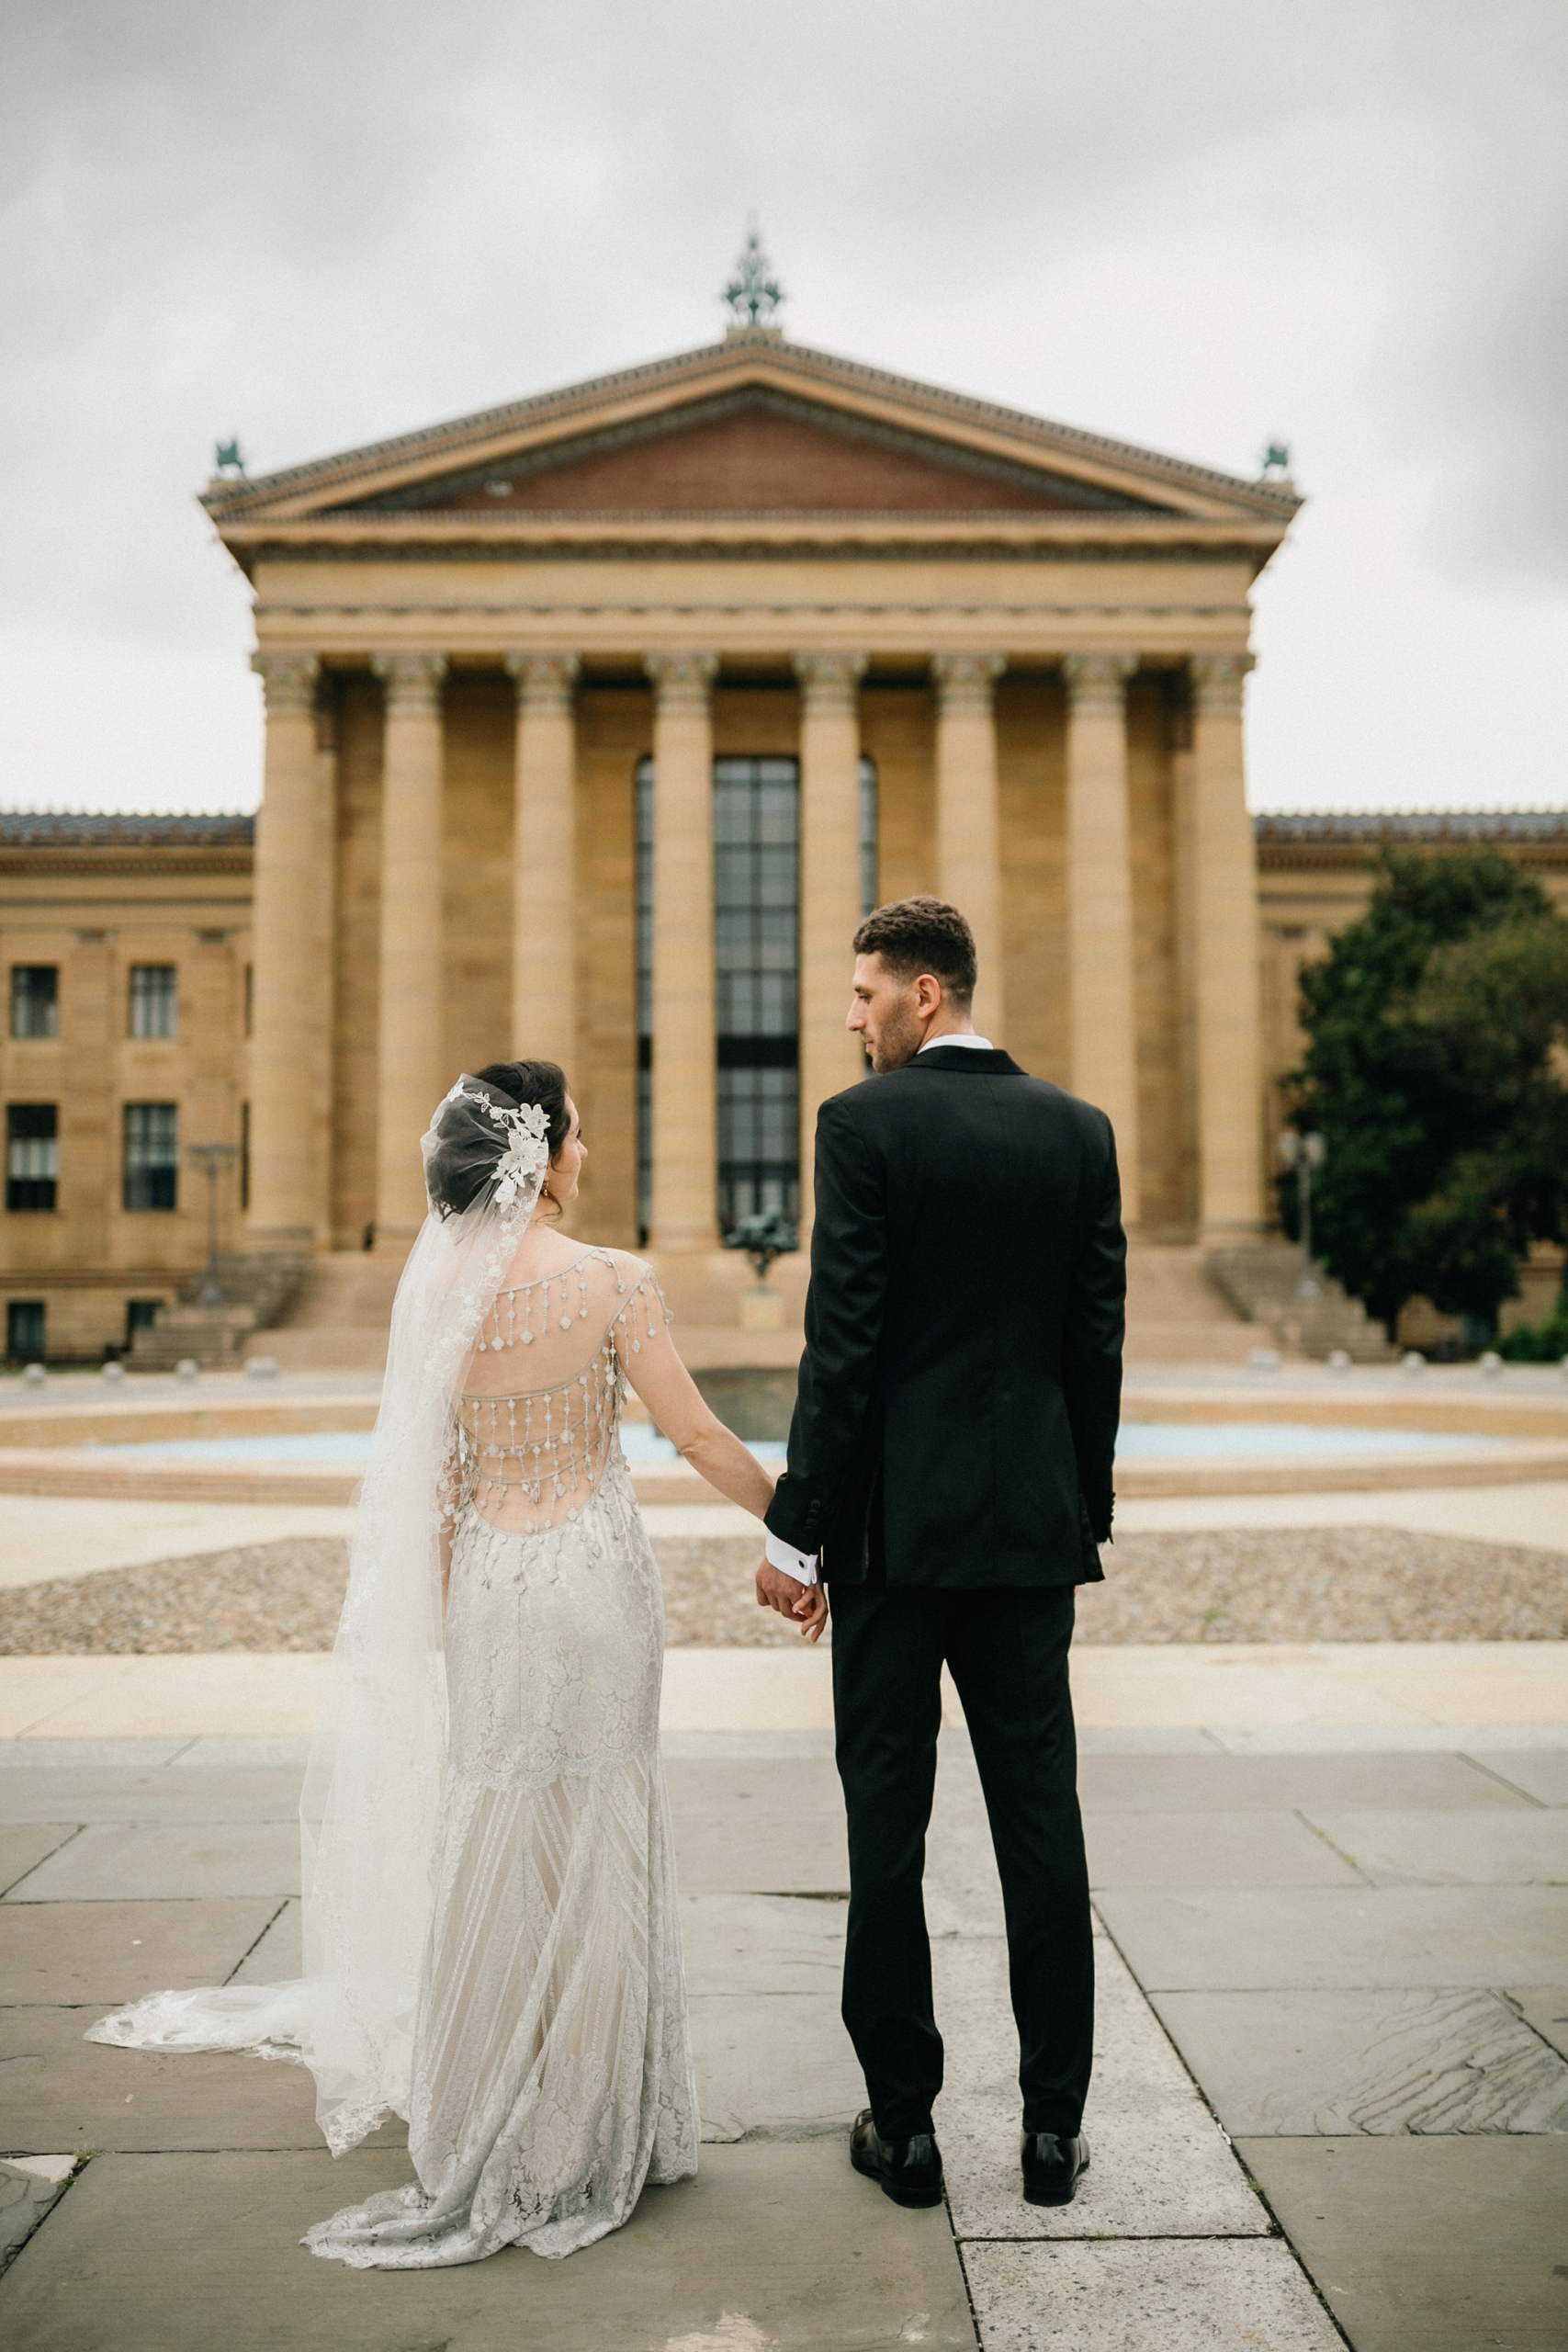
1348	1958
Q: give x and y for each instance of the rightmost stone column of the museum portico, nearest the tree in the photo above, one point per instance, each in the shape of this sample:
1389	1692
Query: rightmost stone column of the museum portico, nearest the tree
1226	958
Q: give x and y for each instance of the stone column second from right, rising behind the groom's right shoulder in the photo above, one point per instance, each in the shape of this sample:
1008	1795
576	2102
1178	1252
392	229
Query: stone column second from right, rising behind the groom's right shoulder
1104	1008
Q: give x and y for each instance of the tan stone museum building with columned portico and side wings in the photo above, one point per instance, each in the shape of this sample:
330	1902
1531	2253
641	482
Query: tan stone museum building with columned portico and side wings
594	726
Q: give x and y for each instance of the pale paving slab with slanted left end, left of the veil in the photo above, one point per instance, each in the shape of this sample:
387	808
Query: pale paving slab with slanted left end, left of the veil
116	1862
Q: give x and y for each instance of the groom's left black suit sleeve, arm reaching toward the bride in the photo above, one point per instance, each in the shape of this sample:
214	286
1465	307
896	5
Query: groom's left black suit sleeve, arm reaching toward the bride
845	1309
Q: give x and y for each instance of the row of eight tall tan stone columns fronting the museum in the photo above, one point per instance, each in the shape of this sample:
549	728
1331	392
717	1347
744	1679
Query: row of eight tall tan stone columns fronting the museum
1214	881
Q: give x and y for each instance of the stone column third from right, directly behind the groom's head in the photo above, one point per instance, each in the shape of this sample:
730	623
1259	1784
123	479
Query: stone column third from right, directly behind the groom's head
967	817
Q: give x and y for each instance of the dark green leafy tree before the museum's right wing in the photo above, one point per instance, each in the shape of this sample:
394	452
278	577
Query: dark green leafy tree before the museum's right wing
1435	1069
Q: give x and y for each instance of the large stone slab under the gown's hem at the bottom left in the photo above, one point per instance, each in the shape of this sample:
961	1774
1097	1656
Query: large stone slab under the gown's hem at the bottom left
772	2247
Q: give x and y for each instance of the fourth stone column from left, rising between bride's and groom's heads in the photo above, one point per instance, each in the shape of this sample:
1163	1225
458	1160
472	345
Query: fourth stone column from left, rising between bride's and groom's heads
685	1060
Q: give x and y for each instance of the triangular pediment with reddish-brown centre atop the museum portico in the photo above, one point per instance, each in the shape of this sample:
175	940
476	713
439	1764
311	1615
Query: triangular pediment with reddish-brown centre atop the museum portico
751	427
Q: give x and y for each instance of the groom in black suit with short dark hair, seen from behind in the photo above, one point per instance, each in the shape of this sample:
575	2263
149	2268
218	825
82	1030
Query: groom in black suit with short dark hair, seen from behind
951	1478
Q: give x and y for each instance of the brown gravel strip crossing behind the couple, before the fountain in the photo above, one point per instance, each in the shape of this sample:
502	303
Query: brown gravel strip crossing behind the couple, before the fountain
1334	1584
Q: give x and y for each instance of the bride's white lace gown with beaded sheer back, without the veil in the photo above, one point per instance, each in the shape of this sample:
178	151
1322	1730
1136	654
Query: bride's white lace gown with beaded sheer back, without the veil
551	2059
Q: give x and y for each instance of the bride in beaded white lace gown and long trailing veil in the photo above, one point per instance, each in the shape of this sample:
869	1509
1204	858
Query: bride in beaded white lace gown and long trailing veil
492	1946
